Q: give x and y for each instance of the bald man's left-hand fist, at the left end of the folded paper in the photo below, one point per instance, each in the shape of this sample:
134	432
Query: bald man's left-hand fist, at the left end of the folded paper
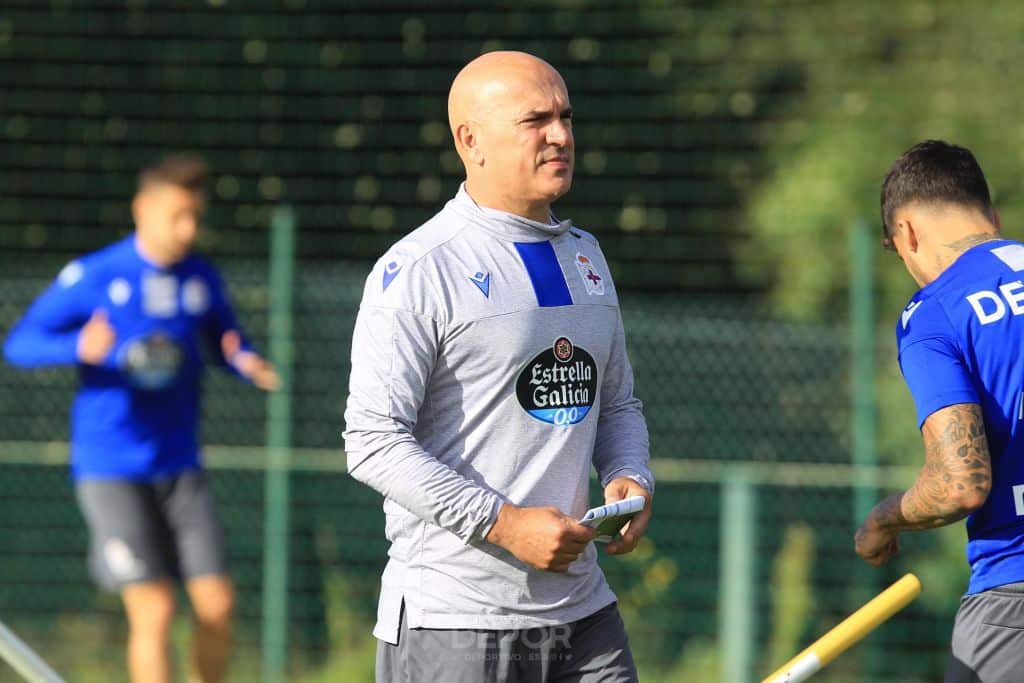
543	538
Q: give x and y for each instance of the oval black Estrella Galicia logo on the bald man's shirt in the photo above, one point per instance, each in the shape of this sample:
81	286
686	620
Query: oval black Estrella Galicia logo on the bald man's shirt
560	386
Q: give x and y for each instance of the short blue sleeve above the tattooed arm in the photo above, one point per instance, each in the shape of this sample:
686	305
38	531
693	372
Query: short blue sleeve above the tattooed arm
932	362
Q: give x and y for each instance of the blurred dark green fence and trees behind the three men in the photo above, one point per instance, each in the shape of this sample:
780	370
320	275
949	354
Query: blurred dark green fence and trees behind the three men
730	159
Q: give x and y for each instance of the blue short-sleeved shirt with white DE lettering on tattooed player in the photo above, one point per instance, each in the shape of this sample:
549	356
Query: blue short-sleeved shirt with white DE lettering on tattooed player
961	341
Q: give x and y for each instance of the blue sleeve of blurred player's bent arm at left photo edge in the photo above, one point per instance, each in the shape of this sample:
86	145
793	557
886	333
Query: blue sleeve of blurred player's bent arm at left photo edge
48	334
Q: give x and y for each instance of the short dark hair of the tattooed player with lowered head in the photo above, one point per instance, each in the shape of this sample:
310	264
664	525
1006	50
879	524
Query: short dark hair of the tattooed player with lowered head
933	172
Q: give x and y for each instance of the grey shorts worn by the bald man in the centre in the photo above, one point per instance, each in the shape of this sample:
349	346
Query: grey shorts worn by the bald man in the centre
594	650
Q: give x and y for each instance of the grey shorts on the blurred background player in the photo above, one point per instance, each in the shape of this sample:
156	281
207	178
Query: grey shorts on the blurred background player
144	532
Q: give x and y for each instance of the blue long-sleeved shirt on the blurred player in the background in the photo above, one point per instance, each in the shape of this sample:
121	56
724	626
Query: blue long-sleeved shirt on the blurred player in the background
137	416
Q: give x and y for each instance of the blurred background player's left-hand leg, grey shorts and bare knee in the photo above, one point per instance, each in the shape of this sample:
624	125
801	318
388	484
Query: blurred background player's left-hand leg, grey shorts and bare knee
131	553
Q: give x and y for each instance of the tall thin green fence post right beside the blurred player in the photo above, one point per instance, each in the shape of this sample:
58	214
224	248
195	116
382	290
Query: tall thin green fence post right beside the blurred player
279	438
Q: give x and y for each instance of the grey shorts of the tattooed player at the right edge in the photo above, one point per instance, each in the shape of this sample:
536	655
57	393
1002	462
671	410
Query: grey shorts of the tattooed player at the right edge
989	637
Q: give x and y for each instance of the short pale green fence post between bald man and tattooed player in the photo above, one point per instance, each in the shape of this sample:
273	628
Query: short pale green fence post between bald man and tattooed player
738	609
